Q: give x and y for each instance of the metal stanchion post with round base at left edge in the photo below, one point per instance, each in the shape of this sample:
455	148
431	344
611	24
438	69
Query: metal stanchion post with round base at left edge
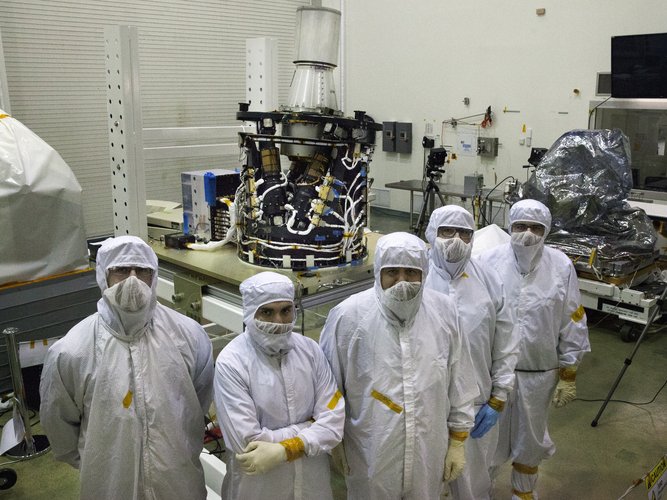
32	446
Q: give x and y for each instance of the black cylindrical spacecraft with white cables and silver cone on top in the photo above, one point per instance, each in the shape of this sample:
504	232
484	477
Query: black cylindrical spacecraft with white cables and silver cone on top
313	213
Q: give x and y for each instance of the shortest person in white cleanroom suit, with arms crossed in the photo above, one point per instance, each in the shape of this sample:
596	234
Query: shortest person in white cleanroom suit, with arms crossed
279	408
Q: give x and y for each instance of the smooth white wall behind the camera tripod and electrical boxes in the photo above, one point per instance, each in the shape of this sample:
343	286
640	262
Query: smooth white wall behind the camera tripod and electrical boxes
416	61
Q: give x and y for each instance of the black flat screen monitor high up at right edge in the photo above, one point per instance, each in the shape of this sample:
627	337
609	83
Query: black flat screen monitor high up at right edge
639	66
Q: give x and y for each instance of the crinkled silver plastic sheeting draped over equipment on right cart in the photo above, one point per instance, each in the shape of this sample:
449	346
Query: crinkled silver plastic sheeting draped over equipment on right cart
585	180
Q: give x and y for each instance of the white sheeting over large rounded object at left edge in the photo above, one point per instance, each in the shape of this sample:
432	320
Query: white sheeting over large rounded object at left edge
41	219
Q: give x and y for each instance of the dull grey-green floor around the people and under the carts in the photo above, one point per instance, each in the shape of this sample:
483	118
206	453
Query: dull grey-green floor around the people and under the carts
590	463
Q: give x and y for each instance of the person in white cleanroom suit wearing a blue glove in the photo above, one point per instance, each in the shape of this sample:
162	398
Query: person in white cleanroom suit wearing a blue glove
487	325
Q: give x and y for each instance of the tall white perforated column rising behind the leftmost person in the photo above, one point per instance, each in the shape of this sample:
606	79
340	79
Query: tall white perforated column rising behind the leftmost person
125	131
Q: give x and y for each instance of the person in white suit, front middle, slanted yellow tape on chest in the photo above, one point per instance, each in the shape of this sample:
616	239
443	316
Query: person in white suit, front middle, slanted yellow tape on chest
405	370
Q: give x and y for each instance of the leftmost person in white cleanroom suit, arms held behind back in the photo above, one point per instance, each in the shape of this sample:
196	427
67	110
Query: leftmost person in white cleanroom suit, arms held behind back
124	393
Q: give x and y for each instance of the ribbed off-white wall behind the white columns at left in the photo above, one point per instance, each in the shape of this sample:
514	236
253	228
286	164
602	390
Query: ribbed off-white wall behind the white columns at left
192	73
